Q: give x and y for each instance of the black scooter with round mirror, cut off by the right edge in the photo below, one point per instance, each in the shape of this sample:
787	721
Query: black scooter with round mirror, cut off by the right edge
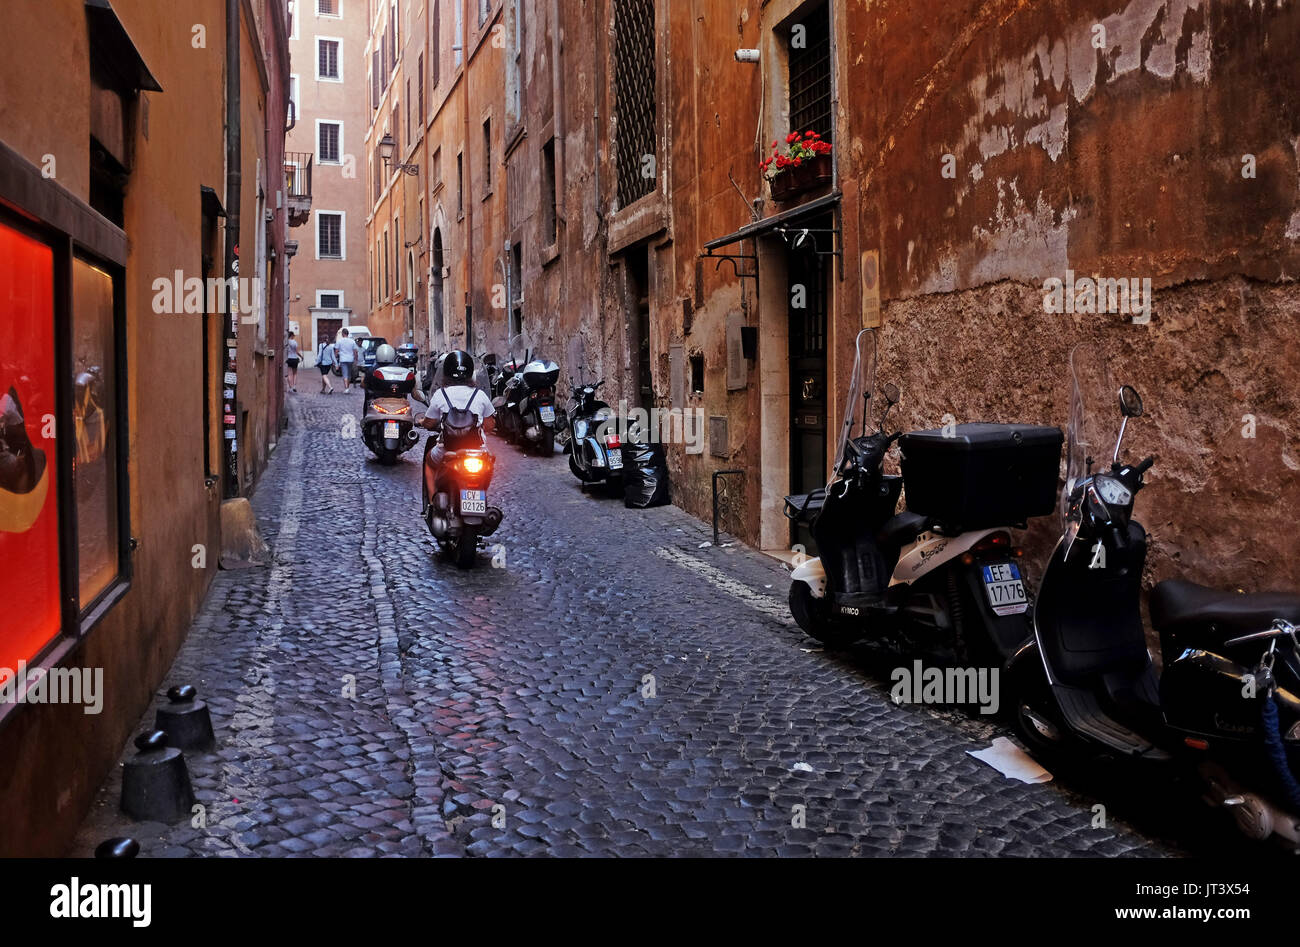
1229	698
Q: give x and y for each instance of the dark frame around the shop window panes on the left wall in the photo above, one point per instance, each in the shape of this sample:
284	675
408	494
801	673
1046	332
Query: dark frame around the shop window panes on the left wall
45	211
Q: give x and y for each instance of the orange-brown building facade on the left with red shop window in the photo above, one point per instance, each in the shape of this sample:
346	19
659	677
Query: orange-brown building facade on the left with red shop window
138	400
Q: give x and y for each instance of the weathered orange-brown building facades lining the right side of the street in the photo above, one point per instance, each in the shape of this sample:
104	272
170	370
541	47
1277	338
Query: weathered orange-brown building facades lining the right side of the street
591	176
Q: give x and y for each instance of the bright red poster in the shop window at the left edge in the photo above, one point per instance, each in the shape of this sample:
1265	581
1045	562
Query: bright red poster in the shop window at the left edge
29	508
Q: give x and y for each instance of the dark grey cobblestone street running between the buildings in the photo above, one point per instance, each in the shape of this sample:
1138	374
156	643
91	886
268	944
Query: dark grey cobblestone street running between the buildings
505	711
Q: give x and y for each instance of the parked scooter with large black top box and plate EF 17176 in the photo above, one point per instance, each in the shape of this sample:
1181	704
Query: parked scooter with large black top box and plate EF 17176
943	578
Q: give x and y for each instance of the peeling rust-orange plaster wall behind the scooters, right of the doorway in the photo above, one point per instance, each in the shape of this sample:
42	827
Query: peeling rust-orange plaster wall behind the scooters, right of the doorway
1121	159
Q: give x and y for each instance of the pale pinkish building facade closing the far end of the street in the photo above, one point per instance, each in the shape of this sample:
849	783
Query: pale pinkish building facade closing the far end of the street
331	283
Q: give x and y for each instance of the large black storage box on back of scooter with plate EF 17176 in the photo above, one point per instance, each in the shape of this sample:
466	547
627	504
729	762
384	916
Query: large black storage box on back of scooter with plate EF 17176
982	475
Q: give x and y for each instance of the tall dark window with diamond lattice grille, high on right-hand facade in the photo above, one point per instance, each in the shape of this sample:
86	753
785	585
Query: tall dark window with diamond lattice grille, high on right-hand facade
635	100
